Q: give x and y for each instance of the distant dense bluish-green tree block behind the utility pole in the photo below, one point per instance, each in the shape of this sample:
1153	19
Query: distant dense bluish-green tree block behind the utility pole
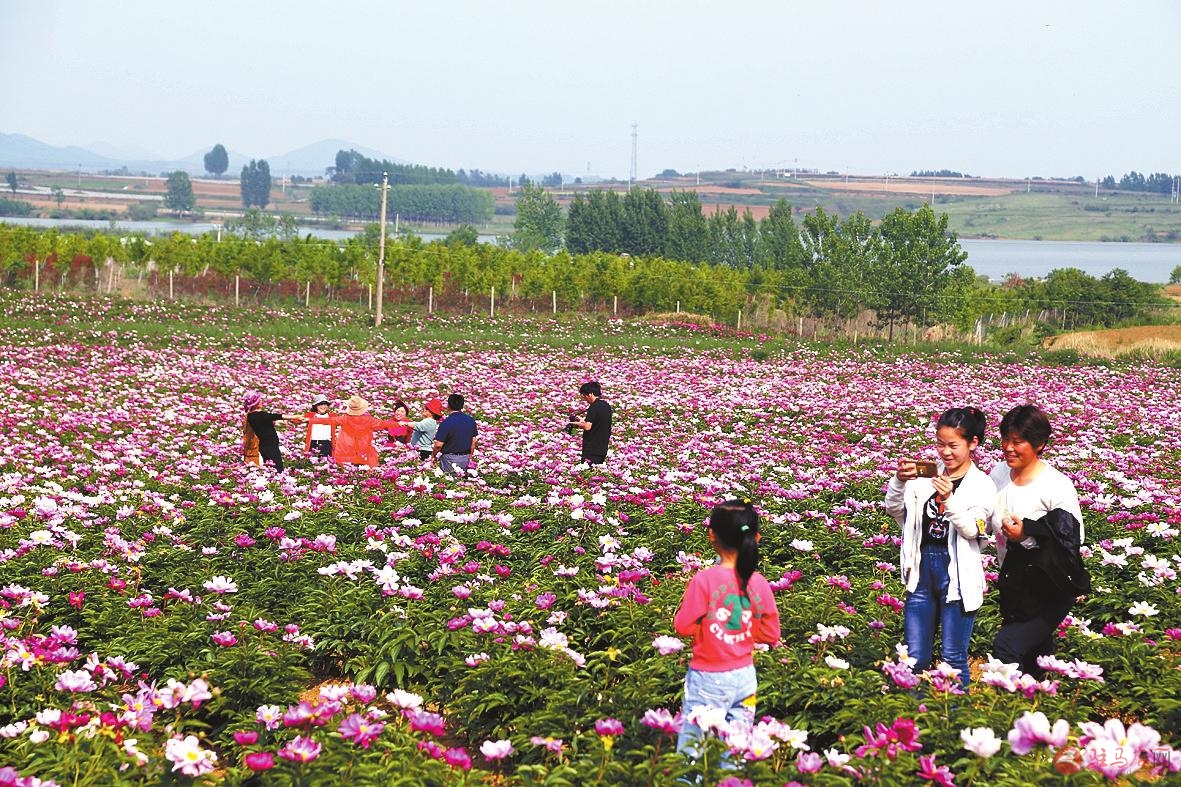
452	204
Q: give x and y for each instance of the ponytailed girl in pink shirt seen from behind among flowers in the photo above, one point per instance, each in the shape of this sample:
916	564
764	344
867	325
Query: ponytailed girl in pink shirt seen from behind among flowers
727	609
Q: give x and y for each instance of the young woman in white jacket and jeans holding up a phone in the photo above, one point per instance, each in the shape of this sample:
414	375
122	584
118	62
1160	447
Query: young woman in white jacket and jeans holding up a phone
944	522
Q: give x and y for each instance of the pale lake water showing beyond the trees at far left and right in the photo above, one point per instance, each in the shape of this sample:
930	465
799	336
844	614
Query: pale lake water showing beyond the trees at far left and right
996	259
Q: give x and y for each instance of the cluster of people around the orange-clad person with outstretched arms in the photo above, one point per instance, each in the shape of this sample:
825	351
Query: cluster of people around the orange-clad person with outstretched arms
348	438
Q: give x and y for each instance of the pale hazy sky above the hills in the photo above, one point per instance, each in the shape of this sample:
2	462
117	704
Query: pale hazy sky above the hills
989	88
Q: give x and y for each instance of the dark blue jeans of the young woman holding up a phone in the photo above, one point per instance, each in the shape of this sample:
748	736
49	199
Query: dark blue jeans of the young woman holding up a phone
928	607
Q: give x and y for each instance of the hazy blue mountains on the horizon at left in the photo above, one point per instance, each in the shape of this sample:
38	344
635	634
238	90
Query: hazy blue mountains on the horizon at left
21	152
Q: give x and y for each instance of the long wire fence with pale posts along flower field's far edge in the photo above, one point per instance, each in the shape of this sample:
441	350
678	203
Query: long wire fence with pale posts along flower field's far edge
762	311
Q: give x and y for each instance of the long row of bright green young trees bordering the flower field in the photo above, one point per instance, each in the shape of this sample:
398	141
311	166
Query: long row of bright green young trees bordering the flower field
854	270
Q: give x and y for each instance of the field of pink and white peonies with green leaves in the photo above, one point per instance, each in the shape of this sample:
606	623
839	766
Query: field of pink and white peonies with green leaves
172	616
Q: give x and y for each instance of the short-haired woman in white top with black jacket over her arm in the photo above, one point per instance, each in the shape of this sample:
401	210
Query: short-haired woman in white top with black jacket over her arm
1041	529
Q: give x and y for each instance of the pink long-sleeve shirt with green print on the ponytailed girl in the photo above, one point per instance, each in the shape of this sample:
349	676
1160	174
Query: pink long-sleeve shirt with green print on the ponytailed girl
725	623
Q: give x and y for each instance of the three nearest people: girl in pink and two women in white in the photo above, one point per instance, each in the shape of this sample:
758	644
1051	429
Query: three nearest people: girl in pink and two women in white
947	510
